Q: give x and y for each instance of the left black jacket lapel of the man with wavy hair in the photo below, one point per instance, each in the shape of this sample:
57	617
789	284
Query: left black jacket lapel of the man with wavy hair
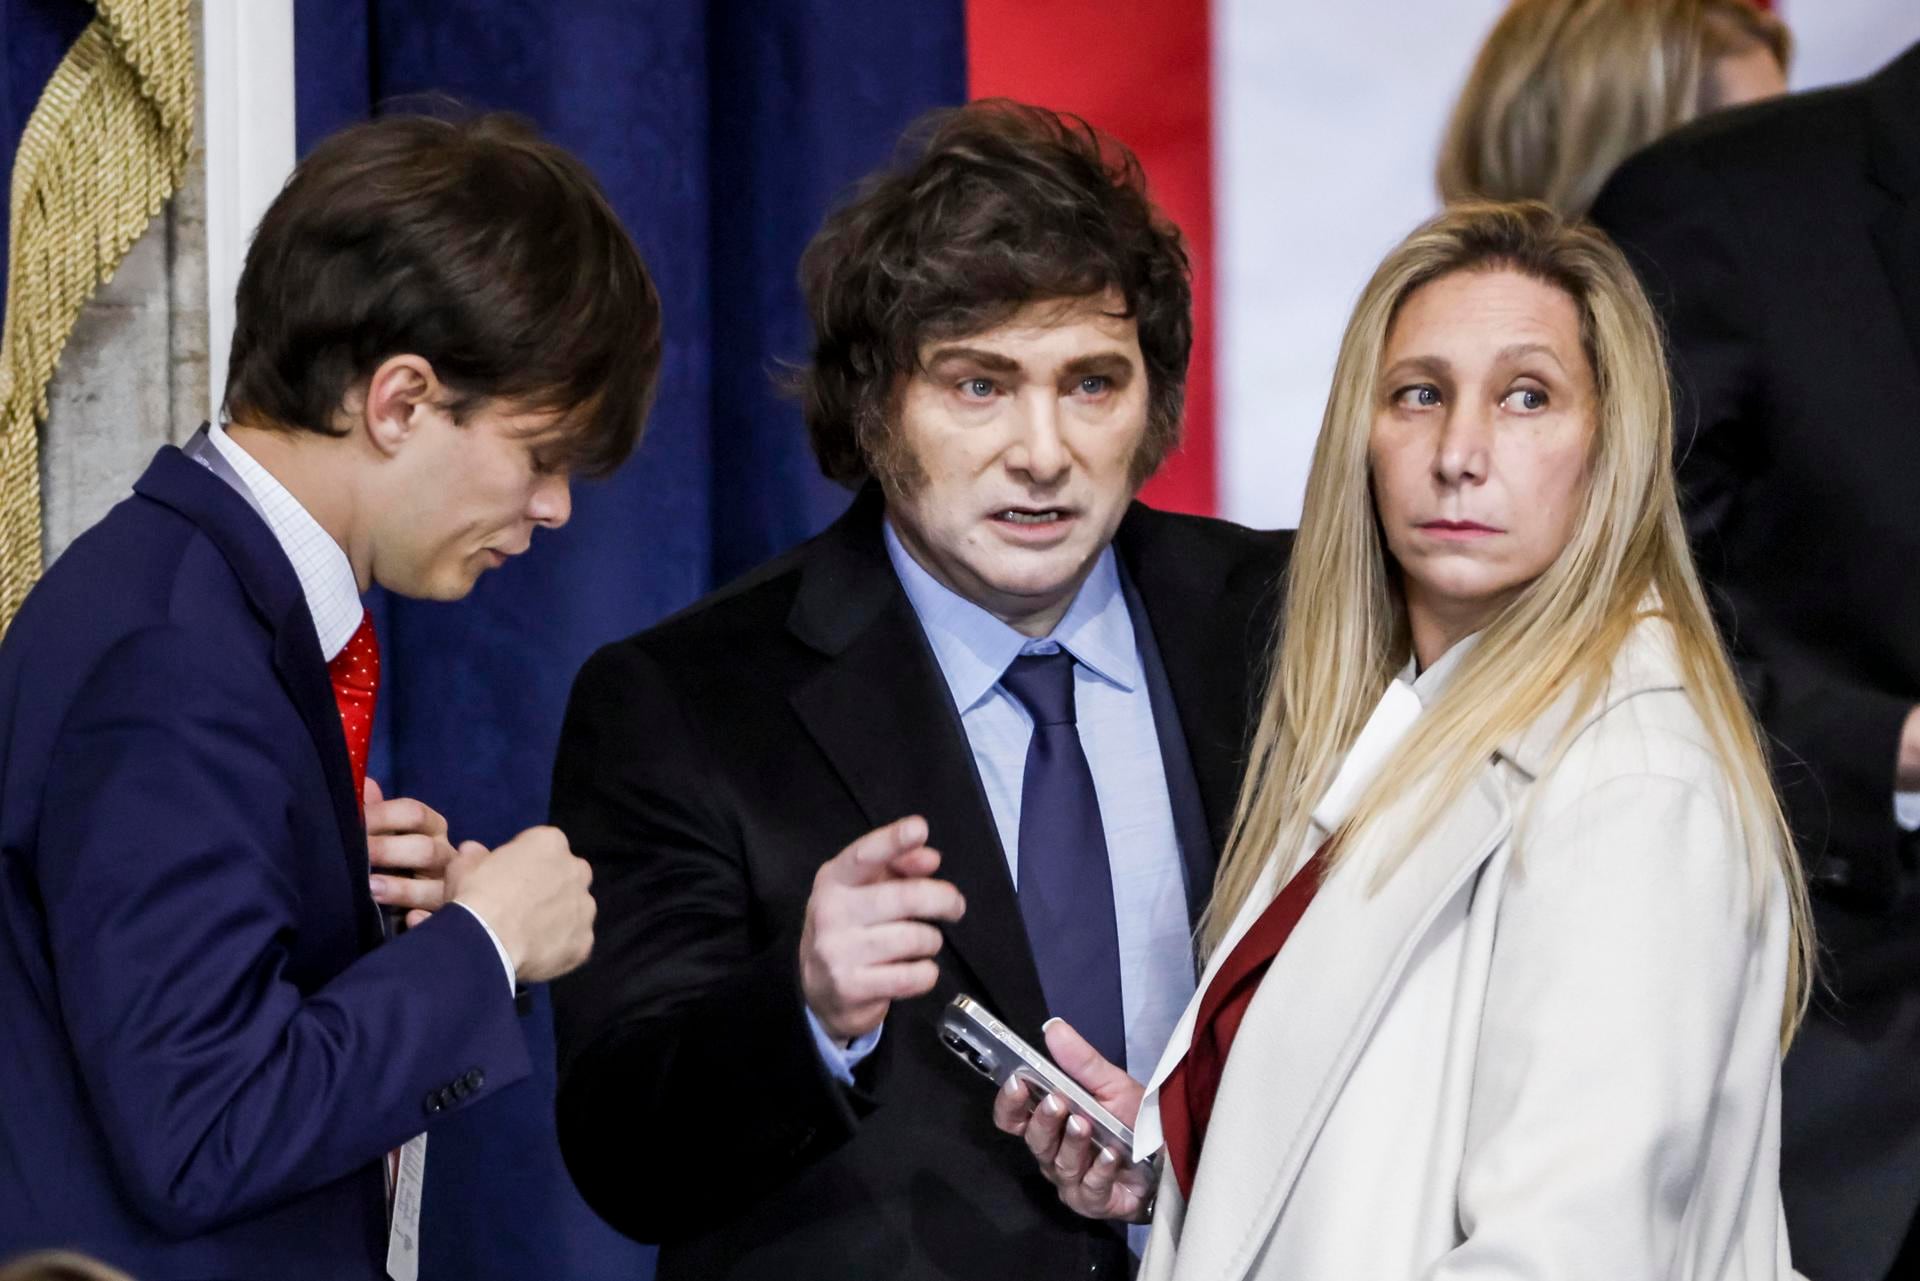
886	721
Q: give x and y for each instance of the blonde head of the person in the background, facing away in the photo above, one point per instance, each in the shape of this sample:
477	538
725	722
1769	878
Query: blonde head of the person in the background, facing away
1564	91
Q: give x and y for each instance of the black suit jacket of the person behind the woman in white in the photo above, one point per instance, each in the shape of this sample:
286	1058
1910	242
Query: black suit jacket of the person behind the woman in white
1783	247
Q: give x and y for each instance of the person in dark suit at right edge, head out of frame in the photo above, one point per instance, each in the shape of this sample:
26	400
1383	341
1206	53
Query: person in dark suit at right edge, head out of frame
1783	245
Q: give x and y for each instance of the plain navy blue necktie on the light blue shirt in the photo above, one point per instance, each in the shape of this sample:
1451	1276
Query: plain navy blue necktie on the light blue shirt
1067	886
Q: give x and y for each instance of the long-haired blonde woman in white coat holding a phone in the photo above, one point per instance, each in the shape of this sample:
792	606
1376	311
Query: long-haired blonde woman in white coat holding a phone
1510	932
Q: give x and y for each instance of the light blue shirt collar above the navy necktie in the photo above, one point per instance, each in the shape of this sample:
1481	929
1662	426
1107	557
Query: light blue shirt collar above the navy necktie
974	648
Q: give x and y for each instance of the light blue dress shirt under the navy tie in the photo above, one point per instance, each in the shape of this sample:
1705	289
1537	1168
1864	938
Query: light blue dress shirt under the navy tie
1116	729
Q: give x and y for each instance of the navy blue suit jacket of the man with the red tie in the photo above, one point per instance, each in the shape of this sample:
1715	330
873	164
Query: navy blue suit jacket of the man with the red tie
208	1046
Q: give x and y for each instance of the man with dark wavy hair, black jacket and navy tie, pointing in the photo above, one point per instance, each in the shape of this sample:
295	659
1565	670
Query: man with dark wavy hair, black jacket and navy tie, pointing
980	737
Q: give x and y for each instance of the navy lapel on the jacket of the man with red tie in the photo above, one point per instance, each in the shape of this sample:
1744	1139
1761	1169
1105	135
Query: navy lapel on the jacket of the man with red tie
233	525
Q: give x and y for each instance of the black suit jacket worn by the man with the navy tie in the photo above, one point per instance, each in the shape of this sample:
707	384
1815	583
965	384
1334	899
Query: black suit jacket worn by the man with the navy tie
708	769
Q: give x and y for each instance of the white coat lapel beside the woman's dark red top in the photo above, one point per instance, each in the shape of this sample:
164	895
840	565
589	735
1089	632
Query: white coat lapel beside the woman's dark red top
1310	1021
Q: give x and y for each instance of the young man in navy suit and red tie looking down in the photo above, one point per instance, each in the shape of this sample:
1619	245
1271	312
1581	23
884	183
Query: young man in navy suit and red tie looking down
212	1040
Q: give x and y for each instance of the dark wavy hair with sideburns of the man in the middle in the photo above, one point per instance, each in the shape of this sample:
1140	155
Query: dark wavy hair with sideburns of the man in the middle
988	208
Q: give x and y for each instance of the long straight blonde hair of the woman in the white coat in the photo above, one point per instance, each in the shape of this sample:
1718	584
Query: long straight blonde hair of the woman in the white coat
1347	633
